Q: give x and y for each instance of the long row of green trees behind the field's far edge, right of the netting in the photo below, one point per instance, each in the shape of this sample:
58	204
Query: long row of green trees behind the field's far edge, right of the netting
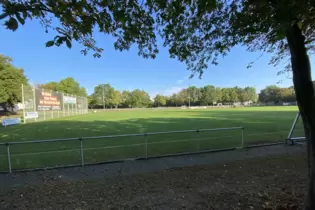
105	95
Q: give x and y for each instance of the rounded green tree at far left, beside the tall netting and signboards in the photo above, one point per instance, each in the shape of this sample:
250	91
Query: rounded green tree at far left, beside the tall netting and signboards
11	79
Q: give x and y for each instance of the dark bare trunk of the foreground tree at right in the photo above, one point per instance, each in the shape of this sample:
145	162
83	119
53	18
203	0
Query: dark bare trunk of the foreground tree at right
305	98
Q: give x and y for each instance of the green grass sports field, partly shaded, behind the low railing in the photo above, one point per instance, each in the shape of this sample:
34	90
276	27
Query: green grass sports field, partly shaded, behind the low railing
262	125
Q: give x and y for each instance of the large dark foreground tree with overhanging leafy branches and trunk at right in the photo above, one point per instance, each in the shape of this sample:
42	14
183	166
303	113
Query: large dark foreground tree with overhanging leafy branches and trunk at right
196	32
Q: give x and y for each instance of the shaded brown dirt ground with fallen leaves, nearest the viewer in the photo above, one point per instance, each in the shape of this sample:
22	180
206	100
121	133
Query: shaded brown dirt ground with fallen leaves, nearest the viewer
261	183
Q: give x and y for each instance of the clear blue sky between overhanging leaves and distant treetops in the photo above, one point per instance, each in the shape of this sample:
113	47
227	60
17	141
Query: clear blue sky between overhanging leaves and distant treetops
126	70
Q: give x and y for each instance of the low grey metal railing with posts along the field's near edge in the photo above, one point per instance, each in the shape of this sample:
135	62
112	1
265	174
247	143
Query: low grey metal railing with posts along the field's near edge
145	143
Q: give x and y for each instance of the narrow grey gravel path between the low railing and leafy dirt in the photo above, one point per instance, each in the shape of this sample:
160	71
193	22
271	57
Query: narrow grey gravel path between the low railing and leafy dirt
95	172
